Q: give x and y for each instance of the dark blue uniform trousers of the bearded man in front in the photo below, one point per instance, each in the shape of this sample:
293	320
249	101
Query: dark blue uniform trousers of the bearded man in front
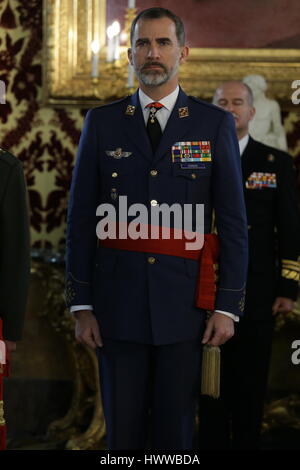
149	393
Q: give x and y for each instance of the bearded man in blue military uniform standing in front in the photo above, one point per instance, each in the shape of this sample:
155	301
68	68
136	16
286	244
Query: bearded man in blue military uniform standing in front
137	308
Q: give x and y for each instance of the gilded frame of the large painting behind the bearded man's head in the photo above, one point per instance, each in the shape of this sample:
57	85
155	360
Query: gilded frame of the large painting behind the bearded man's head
71	25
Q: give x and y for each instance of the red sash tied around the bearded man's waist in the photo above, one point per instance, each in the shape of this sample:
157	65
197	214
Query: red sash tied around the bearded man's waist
207	257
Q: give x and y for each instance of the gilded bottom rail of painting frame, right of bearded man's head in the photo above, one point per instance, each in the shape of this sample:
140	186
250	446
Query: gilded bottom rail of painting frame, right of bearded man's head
207	68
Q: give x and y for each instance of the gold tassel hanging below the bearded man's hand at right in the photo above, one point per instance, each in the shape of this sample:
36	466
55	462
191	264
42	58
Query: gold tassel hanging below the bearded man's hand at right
211	364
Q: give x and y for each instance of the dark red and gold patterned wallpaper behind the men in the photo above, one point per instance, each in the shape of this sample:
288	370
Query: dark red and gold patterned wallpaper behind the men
46	139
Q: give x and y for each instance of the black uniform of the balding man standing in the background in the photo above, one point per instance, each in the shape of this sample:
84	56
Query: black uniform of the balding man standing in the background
271	198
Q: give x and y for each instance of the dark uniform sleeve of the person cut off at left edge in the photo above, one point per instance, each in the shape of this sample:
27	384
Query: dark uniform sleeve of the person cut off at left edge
14	246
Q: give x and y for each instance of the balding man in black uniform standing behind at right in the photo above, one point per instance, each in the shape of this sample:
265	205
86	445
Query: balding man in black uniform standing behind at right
272	285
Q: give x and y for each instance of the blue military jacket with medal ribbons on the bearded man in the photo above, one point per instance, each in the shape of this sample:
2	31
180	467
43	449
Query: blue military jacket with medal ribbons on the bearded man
146	297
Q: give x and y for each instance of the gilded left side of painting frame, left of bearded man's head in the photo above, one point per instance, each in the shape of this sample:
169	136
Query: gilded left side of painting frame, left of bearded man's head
70	28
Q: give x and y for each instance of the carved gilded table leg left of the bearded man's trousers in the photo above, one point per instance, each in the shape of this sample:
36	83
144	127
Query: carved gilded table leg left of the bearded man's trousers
86	407
